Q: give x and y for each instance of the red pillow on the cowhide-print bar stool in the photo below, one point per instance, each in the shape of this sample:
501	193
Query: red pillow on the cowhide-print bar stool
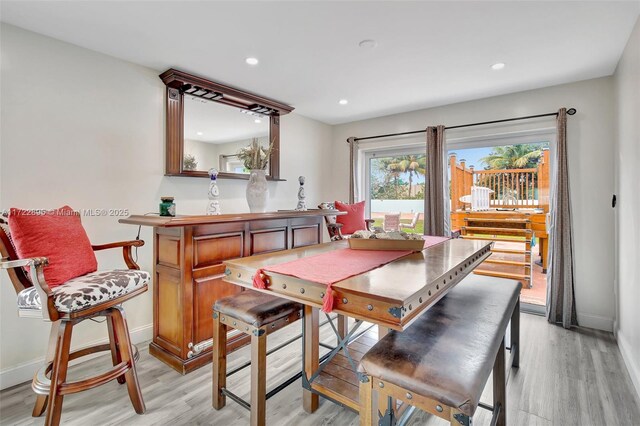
57	235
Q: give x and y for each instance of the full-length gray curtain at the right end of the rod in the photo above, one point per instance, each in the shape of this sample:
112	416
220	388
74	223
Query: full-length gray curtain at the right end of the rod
560	284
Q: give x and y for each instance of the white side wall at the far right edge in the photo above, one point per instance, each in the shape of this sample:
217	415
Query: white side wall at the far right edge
627	90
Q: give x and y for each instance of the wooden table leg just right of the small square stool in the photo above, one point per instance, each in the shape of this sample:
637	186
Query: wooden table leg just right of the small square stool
311	354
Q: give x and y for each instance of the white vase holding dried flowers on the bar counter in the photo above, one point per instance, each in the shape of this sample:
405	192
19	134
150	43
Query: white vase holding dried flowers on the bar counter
255	158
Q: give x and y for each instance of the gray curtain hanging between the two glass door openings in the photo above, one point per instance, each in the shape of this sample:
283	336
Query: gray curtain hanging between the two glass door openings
435	222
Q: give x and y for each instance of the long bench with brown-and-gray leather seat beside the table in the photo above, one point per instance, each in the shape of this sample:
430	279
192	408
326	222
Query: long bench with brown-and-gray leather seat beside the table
441	363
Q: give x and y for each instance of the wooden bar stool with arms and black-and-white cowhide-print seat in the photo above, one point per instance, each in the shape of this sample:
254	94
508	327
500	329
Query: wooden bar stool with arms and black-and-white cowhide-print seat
94	294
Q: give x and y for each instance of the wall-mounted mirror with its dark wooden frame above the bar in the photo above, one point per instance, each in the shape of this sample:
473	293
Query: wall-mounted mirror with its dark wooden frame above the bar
208	123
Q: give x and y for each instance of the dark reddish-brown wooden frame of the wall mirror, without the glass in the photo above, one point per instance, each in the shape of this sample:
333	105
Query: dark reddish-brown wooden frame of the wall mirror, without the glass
178	83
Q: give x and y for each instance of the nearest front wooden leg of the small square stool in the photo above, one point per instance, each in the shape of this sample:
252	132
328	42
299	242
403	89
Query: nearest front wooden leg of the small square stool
258	379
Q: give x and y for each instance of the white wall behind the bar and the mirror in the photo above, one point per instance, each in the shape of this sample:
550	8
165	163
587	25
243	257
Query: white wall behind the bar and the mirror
86	129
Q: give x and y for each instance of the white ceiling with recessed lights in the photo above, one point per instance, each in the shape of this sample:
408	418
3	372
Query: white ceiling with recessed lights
428	53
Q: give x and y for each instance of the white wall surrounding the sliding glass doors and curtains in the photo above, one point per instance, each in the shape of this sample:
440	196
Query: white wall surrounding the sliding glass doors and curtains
590	145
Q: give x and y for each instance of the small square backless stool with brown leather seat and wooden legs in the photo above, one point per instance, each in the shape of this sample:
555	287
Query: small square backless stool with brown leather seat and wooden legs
257	315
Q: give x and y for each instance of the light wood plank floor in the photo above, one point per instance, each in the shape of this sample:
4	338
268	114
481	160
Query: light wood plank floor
565	378
